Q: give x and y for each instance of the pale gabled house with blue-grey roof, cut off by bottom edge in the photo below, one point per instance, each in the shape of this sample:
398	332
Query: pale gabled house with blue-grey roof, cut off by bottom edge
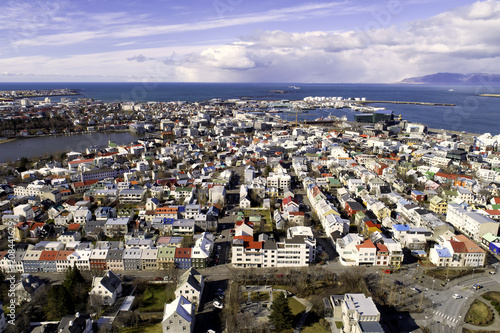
178	316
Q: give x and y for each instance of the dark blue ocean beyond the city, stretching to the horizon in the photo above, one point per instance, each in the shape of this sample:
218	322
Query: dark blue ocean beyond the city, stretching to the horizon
472	113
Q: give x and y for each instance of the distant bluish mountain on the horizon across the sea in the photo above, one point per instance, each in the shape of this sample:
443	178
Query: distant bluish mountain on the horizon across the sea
454	78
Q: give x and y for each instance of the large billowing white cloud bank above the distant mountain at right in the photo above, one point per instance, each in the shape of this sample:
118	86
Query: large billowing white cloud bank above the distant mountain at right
463	40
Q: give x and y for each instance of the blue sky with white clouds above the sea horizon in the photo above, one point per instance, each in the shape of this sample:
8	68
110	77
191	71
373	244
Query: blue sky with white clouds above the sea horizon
346	41
